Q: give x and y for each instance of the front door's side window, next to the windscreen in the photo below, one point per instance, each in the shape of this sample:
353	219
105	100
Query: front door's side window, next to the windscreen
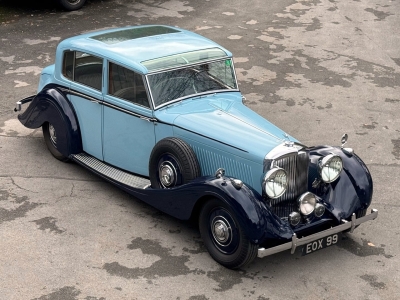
126	84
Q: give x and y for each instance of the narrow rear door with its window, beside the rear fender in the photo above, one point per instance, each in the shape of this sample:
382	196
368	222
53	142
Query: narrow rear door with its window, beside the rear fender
86	74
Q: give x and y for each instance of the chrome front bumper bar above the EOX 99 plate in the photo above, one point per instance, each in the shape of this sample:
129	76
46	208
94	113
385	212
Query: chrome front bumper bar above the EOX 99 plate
305	240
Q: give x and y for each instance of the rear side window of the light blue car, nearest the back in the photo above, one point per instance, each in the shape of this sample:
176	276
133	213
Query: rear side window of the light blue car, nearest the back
84	68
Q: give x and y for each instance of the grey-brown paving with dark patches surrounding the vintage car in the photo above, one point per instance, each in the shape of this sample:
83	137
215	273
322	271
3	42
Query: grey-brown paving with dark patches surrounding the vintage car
315	68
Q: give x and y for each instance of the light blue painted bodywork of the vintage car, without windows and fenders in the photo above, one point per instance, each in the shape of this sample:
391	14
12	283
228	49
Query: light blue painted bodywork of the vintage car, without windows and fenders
221	130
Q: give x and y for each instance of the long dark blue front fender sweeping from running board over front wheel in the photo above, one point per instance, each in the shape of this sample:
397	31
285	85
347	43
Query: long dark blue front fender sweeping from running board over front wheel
183	202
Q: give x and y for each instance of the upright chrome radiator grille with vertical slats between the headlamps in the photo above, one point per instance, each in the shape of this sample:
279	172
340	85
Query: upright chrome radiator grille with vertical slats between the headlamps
296	166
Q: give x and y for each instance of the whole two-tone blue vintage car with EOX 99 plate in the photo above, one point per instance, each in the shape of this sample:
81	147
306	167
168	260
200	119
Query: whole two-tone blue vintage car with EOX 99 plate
157	111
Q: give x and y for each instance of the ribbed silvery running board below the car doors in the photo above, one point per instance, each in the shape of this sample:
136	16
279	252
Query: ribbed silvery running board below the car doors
110	172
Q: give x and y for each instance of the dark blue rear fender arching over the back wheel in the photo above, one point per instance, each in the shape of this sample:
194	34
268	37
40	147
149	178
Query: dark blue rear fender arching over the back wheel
51	105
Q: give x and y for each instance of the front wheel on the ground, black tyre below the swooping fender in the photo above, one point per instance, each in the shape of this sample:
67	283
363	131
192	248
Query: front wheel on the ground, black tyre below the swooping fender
223	236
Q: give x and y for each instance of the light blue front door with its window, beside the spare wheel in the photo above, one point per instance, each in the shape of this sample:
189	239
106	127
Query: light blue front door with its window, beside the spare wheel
128	130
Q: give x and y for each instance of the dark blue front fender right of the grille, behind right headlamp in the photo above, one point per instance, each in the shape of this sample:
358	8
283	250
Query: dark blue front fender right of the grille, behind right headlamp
352	192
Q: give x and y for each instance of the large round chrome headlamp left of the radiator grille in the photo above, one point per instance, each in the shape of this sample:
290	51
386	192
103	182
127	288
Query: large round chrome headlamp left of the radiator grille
275	182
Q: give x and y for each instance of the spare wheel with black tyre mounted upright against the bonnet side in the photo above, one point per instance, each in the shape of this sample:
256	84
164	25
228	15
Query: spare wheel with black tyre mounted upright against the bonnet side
172	163
